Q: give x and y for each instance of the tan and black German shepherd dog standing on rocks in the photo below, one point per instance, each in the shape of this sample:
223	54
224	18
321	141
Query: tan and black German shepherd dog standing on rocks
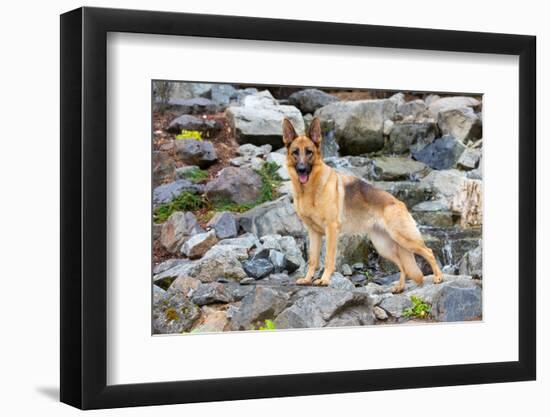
330	203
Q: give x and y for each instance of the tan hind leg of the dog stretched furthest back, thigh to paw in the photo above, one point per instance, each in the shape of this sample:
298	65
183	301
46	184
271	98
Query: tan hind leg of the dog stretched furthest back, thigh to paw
402	228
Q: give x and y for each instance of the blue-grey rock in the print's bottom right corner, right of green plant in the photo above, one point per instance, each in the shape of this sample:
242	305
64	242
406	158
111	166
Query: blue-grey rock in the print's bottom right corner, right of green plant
456	303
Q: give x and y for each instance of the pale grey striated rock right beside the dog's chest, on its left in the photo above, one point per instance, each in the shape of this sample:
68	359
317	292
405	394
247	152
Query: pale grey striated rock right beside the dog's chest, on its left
273	217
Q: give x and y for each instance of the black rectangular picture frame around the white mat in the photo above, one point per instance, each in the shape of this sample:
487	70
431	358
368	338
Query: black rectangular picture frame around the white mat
84	207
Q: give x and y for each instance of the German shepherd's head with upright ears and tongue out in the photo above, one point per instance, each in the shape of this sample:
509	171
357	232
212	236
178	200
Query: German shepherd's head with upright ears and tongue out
303	152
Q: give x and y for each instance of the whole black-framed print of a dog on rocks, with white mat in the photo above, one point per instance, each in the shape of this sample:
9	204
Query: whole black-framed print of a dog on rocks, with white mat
292	208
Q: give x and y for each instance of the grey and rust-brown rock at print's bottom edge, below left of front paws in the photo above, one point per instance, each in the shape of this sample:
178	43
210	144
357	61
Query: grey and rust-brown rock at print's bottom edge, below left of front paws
262	303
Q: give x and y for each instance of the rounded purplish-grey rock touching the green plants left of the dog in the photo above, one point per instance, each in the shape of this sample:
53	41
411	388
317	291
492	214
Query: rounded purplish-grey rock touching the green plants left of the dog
235	185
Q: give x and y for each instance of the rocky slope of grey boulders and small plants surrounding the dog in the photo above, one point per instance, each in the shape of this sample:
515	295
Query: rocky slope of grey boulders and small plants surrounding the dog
228	245
